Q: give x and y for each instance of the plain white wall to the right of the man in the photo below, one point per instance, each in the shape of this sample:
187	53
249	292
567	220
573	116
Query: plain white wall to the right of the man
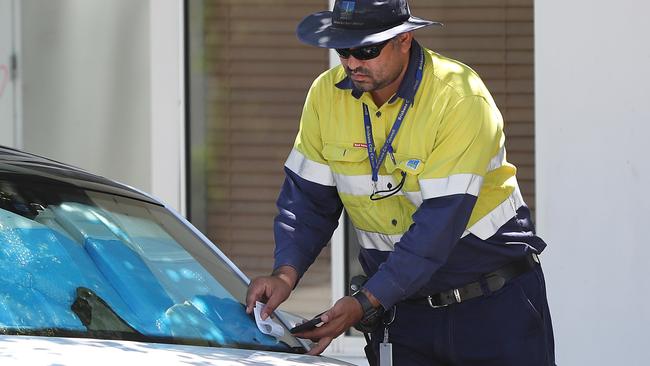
592	170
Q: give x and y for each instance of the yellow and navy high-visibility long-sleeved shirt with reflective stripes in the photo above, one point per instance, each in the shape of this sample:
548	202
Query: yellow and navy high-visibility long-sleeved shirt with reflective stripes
459	213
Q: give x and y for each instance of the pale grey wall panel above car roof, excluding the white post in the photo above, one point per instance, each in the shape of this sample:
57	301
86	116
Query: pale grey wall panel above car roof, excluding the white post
86	85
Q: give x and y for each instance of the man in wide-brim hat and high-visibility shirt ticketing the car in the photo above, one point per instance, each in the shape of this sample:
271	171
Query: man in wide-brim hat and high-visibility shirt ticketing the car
411	144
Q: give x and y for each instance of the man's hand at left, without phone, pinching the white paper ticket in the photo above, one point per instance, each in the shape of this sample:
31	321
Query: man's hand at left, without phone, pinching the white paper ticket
272	290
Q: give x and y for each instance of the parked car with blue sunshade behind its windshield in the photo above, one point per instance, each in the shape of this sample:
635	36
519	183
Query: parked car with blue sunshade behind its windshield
95	272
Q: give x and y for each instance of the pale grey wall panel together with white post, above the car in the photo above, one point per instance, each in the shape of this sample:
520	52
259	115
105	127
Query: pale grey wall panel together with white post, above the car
102	89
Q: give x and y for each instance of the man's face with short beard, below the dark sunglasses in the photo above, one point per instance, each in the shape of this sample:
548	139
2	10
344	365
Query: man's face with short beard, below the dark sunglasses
376	73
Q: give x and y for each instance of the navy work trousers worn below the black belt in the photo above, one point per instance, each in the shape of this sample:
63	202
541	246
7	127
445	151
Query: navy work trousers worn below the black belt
509	327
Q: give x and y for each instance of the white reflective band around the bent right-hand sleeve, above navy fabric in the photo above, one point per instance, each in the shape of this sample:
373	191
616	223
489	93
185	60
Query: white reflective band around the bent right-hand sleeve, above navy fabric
454	184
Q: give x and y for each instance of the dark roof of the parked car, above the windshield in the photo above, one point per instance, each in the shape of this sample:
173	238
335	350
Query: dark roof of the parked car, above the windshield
23	164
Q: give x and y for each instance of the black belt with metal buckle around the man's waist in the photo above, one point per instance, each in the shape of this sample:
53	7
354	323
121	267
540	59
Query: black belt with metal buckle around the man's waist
494	280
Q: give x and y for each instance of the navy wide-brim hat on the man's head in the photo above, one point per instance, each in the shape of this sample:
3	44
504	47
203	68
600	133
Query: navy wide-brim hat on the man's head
359	23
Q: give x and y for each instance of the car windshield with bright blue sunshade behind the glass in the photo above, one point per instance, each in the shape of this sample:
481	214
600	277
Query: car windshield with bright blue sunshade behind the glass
83	263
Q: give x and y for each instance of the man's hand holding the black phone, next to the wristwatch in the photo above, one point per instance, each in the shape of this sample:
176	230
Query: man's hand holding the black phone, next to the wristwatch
345	313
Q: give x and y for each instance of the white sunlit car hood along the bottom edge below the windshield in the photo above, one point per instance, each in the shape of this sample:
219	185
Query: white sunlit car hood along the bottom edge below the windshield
29	350
